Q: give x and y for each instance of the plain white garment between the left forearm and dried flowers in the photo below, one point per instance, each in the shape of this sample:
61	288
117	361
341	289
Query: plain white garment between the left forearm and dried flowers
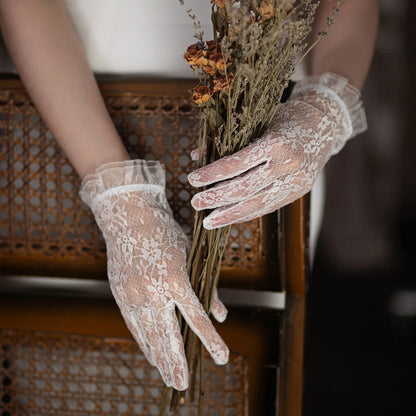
136	36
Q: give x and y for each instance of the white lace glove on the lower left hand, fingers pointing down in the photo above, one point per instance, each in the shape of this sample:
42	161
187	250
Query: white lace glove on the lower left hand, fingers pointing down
146	252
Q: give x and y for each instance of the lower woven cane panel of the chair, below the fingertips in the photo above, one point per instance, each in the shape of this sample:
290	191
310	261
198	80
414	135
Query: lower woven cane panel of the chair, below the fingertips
45	374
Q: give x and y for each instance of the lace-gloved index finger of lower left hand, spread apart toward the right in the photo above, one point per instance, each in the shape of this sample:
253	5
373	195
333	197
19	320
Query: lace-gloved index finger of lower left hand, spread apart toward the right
197	319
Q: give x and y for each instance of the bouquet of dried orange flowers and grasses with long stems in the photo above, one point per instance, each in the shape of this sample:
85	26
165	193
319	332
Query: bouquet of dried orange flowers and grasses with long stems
243	73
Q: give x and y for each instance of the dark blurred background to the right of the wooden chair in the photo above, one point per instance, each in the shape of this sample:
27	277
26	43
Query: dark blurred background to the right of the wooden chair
361	339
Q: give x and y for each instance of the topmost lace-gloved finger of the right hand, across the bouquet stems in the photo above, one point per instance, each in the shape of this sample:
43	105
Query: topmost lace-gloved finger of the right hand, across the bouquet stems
227	167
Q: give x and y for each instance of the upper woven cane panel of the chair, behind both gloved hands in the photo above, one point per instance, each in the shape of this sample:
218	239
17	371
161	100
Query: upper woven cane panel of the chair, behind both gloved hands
41	214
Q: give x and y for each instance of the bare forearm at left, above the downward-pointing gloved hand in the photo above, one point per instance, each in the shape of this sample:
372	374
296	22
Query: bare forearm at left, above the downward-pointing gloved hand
52	64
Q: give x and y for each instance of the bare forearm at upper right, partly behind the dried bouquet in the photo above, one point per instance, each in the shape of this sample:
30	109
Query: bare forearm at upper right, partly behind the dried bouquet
349	46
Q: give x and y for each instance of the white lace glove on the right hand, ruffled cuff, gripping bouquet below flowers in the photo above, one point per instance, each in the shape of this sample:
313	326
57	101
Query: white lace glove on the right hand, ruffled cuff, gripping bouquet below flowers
320	116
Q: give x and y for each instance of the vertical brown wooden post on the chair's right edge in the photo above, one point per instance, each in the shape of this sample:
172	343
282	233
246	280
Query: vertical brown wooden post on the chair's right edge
295	265
